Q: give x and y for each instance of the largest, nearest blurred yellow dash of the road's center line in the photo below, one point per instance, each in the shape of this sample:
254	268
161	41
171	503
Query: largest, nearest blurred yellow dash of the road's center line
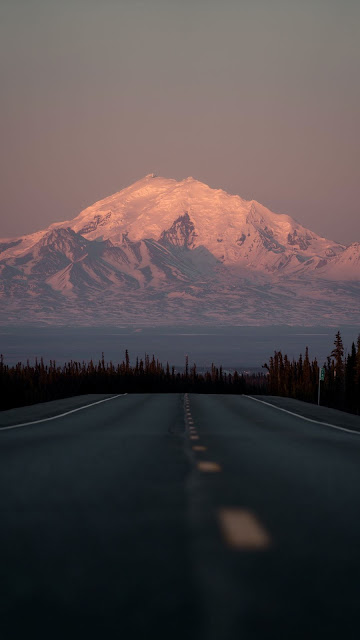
242	530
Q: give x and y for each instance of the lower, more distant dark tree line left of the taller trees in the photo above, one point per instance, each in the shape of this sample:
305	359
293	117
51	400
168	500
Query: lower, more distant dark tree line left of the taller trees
27	384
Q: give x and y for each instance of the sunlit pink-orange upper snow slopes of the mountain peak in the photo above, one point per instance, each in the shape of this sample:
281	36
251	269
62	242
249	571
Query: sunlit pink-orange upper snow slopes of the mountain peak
234	230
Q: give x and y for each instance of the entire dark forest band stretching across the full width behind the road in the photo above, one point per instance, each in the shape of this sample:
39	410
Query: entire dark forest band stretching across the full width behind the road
27	384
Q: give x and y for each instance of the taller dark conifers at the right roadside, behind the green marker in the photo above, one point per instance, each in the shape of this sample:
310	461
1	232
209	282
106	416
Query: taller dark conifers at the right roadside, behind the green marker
299	379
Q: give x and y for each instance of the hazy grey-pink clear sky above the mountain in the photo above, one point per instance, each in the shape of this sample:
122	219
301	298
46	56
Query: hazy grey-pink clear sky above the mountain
257	97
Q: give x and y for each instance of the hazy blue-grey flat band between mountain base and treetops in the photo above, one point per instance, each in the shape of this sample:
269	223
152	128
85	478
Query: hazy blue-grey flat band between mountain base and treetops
243	348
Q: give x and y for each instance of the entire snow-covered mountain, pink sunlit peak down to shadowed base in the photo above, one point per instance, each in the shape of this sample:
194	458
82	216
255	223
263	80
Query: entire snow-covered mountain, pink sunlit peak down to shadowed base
168	251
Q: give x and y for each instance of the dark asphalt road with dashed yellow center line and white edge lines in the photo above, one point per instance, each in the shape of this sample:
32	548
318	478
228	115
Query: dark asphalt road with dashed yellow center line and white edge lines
164	516
